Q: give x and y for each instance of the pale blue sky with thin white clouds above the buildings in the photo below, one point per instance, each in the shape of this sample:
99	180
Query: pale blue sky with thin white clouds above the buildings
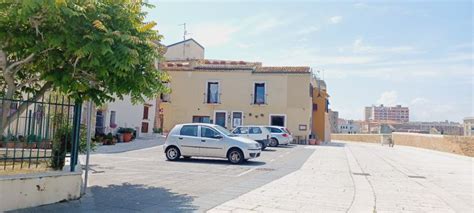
414	53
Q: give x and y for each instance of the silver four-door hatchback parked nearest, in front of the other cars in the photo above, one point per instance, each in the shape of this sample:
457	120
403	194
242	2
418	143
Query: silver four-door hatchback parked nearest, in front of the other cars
208	140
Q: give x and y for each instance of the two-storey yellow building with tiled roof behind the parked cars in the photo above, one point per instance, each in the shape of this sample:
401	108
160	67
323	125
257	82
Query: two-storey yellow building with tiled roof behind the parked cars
232	93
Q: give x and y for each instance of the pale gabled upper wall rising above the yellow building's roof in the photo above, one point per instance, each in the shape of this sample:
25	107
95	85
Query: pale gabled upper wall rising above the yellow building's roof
185	50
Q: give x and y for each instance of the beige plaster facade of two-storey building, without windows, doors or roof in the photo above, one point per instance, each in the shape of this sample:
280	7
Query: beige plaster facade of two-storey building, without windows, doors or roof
287	94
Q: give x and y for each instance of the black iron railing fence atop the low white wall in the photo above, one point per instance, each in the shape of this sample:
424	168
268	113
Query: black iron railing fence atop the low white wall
39	133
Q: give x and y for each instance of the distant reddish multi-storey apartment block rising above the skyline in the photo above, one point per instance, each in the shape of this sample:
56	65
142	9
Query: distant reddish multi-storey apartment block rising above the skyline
383	113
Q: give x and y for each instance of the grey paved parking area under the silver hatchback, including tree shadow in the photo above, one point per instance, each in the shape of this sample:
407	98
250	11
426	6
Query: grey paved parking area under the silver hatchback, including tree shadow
142	180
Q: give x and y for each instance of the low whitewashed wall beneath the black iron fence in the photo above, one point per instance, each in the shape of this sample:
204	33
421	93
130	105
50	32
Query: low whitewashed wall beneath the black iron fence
30	190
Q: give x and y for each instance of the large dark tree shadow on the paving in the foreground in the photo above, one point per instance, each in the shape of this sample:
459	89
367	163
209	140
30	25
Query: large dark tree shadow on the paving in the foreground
124	198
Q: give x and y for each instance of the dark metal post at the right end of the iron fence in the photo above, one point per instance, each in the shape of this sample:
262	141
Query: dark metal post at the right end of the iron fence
76	128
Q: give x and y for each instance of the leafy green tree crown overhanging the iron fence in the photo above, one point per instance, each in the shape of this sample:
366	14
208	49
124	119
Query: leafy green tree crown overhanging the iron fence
86	49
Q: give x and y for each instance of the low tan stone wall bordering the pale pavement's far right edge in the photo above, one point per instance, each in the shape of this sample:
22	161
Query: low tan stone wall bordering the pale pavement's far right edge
453	144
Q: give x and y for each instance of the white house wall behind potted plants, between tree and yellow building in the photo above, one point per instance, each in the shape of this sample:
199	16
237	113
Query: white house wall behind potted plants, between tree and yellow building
130	115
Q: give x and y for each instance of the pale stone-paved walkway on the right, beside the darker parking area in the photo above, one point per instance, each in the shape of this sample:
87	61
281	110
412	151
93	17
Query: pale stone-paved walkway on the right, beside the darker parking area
358	177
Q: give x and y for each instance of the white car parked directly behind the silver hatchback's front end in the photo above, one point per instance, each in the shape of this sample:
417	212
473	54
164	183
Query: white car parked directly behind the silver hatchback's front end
256	133
